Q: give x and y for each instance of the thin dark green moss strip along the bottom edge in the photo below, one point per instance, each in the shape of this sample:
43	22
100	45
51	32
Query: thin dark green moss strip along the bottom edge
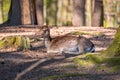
62	76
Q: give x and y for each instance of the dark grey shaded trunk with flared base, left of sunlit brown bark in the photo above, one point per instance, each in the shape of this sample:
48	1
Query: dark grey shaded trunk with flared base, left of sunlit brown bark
14	15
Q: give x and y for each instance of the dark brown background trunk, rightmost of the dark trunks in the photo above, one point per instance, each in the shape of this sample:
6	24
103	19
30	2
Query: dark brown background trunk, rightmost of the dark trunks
97	14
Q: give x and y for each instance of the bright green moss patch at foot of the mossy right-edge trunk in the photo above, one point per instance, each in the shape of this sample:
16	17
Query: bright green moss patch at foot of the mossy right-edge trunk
99	61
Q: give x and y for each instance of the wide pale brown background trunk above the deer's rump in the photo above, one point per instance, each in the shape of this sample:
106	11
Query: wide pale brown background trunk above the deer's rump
78	13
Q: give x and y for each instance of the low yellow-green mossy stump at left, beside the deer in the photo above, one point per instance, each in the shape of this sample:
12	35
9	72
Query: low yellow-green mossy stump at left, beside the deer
18	42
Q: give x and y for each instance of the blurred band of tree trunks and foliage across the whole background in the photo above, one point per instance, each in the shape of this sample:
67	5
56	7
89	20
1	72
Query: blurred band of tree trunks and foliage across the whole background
60	12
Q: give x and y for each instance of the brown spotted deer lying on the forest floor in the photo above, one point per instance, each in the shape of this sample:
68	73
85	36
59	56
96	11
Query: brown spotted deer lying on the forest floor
66	44
